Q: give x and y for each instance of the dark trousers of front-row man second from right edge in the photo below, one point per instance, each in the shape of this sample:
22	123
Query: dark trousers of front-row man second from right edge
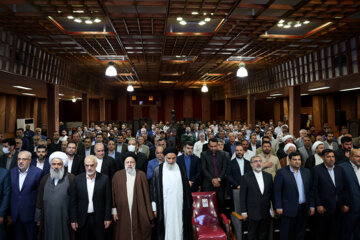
328	225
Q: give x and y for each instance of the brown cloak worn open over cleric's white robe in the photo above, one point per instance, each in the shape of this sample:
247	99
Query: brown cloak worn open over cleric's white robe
142	215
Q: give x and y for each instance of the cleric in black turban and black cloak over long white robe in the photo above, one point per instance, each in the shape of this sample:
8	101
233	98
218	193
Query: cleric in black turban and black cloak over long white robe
171	199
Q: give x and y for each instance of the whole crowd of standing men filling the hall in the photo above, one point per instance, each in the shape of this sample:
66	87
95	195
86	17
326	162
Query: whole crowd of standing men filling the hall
106	182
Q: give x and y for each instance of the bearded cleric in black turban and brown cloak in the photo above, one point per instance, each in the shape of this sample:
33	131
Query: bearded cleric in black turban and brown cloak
132	210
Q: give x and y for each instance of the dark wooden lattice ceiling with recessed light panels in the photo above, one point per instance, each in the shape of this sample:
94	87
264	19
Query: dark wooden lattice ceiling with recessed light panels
152	50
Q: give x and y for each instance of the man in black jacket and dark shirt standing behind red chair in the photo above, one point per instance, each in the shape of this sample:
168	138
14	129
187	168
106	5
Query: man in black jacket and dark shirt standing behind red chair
213	169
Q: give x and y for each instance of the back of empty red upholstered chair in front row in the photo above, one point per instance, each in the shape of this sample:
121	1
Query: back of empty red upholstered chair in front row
205	208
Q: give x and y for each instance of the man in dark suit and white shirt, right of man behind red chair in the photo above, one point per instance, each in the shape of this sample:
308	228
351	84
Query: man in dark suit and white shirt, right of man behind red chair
237	167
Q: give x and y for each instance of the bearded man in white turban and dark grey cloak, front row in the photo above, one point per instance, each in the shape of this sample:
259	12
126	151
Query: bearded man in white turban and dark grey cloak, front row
52	206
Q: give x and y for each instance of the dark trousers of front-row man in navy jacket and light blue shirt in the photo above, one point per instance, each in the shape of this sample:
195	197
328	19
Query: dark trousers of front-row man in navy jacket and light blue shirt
293	228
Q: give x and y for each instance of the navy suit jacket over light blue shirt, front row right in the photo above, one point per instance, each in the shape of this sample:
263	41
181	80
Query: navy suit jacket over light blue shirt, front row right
286	195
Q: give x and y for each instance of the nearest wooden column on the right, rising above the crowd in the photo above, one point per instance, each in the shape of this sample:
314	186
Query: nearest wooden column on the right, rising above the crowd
294	110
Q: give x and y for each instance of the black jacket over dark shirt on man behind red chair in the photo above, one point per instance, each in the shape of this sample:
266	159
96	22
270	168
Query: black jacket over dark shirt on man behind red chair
207	167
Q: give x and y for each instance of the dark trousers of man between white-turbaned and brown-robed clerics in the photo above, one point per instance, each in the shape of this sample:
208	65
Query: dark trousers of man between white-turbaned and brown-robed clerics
90	230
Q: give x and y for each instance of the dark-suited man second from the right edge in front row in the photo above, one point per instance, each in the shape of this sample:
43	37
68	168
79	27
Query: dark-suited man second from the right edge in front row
328	195
